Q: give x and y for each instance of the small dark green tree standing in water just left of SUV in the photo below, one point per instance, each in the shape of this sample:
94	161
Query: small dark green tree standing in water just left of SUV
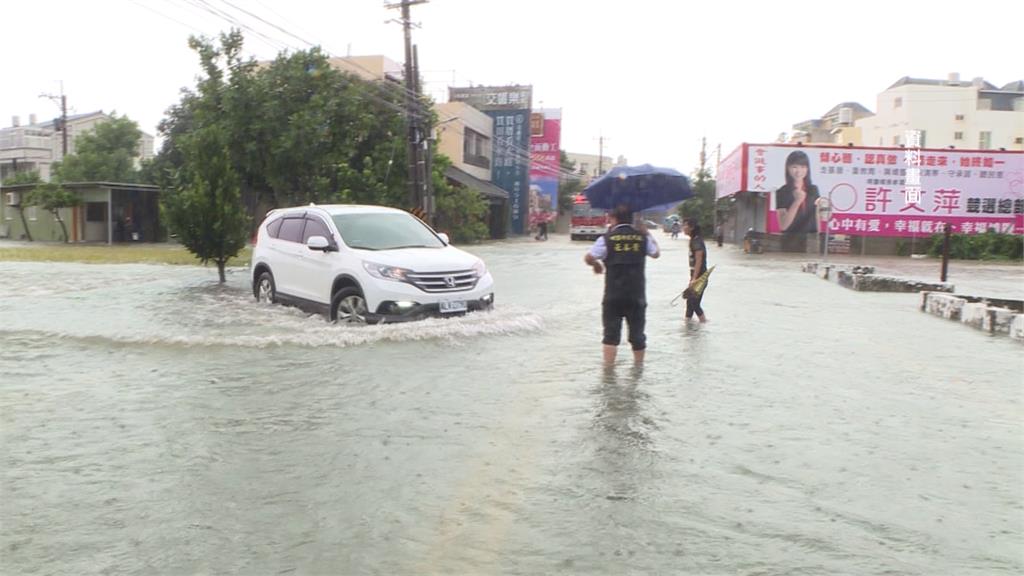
205	210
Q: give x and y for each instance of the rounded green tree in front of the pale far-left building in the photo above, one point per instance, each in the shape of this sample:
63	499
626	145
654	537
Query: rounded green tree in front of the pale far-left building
106	154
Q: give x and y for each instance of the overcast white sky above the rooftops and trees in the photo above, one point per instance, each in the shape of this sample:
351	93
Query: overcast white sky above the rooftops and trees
653	77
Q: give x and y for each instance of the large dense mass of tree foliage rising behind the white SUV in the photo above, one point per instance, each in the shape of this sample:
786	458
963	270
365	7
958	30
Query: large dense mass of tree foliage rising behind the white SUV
298	131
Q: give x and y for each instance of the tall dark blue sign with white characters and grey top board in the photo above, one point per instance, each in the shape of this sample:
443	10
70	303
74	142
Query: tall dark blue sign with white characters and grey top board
509	107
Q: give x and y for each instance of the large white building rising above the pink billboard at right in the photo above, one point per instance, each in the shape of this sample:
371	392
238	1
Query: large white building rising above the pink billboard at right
973	115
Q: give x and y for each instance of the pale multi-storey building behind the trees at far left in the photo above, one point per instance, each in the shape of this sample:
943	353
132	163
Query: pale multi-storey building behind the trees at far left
38	145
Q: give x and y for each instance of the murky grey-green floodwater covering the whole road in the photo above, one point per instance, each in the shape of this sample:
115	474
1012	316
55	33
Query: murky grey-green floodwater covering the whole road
155	423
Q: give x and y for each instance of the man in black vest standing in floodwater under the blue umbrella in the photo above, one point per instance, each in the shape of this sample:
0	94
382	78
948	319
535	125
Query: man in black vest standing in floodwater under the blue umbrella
624	251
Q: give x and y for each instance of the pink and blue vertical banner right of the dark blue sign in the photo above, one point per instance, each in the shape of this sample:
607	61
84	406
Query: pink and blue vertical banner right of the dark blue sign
545	140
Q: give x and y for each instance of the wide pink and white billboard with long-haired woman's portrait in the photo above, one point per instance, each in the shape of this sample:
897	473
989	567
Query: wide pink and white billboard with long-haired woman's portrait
970	191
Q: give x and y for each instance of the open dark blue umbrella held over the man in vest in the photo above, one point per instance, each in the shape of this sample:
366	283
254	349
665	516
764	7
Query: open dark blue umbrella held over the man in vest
641	188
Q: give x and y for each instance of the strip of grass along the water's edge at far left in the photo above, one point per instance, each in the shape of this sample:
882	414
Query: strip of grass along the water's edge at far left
117	255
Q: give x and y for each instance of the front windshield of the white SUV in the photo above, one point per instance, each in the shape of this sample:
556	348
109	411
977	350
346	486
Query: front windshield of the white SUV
385	231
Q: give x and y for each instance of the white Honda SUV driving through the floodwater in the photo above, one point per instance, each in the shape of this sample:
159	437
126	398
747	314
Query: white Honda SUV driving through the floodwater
365	264
